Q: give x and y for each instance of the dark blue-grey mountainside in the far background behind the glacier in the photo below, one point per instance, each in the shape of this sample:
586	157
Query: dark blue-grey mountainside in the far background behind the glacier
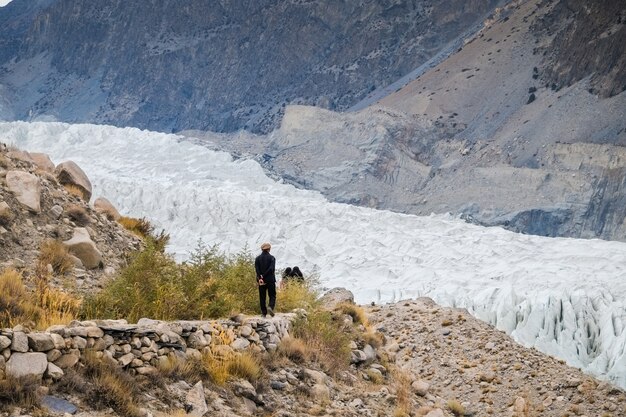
212	66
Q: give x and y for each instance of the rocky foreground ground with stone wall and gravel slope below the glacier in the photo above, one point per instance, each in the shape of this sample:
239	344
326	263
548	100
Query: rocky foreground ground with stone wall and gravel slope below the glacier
416	359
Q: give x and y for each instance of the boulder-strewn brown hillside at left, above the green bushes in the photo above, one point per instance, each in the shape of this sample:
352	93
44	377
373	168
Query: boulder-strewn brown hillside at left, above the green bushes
44	212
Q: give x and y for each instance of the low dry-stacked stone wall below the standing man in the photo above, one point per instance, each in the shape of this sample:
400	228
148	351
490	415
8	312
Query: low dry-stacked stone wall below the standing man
137	347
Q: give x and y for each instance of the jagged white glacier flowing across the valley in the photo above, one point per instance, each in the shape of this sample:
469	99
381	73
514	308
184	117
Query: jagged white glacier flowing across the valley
564	297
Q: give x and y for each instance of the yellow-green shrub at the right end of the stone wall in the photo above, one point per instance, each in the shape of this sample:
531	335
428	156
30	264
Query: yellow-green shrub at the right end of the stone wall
326	339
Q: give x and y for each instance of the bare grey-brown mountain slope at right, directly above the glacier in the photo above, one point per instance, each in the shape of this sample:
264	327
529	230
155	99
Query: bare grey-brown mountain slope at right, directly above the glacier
523	126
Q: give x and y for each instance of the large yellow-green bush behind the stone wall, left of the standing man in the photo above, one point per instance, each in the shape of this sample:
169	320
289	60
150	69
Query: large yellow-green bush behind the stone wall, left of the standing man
210	284
